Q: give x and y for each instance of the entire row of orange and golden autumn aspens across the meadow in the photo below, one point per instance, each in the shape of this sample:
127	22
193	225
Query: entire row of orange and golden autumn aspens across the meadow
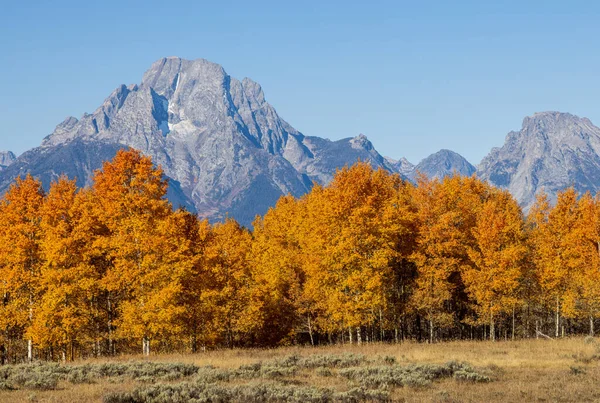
371	257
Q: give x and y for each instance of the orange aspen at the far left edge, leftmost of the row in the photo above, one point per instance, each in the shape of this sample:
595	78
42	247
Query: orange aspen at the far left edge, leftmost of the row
20	257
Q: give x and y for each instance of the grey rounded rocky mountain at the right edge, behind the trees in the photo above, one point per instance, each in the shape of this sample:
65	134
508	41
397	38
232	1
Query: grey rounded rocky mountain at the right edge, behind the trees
552	151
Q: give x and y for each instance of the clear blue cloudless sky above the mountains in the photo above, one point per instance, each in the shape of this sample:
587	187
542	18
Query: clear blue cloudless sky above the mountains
414	77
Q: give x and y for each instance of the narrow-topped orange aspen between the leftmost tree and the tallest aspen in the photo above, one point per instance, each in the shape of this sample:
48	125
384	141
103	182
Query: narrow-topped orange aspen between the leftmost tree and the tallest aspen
67	283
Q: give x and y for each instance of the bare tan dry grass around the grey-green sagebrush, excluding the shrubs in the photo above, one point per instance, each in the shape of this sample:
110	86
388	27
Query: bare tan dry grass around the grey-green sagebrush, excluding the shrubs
526	370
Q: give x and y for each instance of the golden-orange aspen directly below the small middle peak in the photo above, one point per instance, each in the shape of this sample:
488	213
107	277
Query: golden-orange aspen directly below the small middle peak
447	214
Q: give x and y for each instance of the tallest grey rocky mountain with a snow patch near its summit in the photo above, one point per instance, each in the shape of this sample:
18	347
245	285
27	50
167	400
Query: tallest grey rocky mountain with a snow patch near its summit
224	148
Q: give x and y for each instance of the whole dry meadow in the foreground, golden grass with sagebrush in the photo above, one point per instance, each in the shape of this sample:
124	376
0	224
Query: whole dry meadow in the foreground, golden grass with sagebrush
566	370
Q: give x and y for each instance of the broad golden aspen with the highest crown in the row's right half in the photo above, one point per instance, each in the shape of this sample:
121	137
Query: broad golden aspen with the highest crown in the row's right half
350	277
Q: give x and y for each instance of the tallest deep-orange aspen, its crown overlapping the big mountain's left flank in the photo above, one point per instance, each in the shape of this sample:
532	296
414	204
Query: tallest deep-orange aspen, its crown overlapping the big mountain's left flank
130	195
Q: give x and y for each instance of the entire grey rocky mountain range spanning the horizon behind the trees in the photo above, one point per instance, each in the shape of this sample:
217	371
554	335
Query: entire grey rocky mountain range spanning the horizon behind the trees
227	152
